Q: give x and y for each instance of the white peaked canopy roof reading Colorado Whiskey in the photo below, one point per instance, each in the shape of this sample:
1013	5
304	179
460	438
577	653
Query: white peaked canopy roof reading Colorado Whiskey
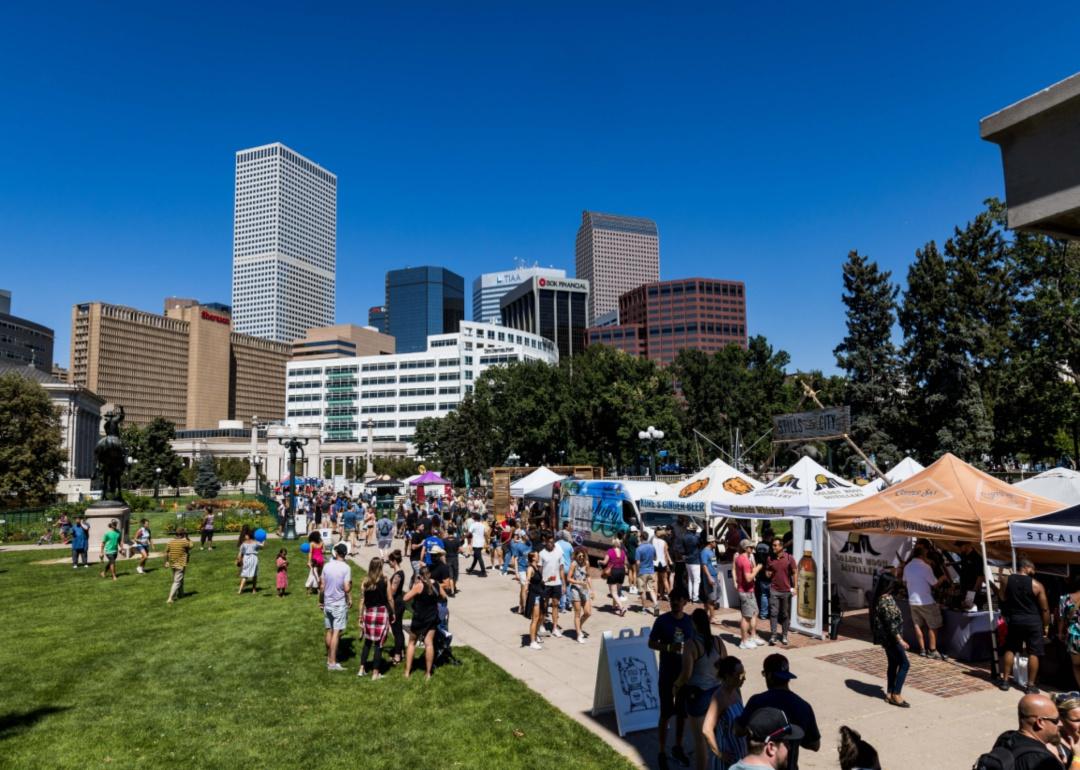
804	490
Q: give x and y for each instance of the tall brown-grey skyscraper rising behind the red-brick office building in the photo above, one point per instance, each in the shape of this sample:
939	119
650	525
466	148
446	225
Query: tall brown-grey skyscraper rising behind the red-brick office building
615	254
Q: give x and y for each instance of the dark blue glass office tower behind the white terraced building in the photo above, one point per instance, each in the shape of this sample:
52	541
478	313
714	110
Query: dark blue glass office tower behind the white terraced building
424	302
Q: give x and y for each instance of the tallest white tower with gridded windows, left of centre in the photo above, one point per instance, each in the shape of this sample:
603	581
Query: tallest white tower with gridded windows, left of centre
285	245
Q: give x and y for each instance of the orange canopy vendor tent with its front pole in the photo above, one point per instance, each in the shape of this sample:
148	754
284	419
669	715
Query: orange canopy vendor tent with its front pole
949	502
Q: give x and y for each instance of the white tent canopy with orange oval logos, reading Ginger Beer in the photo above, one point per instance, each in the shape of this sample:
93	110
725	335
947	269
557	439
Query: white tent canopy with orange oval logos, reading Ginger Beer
719	482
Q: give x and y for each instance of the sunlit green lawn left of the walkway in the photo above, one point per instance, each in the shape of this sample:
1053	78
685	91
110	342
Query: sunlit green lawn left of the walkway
103	674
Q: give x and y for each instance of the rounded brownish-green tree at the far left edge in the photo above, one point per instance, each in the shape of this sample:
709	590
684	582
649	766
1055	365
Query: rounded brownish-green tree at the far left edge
32	454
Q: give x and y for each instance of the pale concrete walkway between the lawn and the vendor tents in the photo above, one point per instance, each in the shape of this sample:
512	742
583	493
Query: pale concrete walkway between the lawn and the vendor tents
940	733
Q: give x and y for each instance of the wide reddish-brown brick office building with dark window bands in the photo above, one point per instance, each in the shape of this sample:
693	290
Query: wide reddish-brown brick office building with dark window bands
658	320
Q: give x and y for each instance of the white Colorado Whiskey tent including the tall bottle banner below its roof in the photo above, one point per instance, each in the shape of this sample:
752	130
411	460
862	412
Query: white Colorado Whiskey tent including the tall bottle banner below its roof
803	495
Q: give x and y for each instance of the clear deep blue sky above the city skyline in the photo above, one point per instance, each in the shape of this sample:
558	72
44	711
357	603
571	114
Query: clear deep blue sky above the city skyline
766	142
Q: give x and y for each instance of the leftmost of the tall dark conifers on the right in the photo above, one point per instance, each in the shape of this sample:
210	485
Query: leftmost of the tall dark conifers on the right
870	359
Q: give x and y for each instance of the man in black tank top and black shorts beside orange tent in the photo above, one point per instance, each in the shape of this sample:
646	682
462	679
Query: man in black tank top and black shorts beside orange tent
1028	615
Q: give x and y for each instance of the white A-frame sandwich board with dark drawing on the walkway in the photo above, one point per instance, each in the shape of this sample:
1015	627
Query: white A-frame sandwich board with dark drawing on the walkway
627	681
